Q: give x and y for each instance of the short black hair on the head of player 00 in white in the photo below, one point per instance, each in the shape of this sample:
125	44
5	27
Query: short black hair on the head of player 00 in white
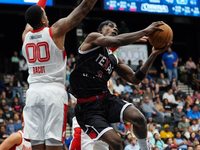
33	15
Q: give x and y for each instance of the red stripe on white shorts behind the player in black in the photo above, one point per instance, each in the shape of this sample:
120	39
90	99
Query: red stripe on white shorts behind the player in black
76	142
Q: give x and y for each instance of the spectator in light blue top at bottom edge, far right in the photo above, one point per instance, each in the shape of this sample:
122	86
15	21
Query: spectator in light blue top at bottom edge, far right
180	142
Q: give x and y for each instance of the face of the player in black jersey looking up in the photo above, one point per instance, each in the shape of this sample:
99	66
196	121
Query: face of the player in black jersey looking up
110	30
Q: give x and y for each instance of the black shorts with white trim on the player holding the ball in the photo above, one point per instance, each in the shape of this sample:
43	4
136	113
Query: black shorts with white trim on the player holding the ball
94	117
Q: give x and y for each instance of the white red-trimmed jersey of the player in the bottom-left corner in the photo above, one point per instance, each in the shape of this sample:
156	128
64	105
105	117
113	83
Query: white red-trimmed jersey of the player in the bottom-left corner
24	145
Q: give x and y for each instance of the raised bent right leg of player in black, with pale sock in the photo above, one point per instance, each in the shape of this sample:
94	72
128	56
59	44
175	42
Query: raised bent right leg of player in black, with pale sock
133	115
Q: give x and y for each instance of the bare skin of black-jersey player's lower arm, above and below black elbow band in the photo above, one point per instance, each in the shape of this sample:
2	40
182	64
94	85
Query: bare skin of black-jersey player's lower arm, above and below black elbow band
126	72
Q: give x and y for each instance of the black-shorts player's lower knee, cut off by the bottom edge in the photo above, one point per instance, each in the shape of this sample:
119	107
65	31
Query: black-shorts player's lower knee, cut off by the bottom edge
112	139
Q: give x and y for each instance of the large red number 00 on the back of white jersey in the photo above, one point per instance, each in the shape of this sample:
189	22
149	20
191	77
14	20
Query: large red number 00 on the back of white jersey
41	47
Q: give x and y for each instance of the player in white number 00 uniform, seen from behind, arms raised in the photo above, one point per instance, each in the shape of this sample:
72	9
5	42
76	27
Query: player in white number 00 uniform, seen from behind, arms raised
46	105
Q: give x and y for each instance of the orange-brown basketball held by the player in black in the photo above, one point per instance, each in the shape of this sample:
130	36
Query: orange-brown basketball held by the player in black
160	38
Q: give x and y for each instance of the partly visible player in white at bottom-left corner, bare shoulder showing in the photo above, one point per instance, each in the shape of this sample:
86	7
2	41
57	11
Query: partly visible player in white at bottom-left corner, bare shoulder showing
16	141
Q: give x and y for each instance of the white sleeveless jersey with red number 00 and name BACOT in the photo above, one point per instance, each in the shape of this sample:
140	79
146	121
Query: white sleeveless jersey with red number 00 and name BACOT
46	62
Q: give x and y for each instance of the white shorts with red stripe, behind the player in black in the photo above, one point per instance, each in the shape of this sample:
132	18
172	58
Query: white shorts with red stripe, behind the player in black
81	141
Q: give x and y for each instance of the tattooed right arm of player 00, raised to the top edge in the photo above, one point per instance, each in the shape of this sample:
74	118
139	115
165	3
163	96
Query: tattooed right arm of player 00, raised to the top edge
62	26
